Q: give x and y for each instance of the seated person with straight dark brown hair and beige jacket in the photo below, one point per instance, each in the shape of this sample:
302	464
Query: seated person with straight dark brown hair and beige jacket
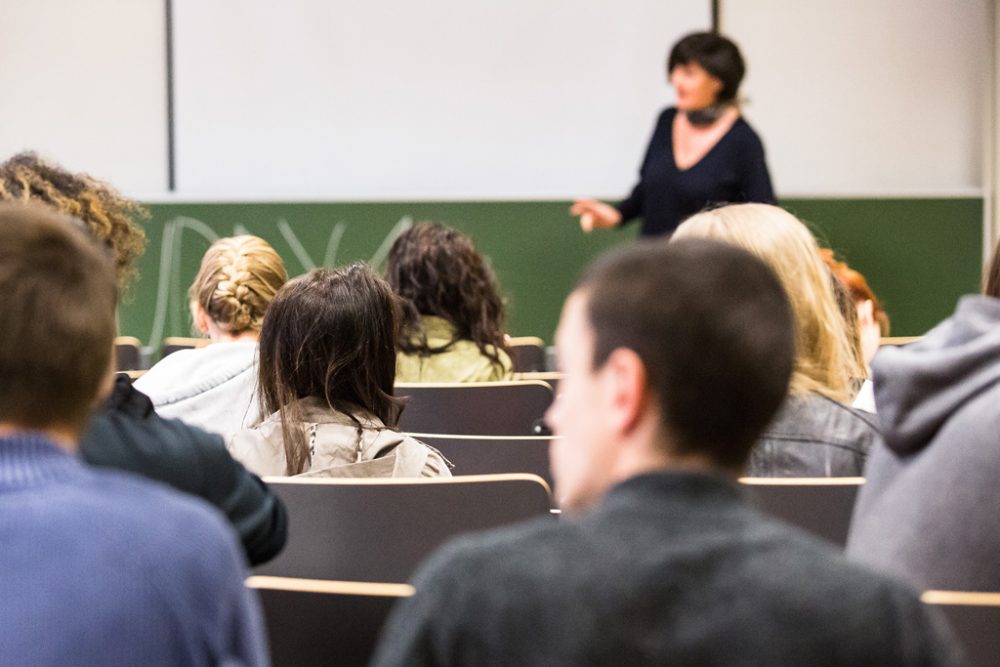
327	361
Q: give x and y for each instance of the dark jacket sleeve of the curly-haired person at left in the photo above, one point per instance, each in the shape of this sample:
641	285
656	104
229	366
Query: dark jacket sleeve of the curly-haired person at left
127	434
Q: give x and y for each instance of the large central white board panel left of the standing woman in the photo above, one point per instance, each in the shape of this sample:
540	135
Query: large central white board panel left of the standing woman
448	99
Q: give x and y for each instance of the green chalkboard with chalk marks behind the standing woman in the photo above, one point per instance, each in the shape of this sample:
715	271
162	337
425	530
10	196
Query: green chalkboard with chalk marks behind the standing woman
919	255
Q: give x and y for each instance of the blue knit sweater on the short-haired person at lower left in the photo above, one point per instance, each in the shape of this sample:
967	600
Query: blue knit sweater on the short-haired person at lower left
99	568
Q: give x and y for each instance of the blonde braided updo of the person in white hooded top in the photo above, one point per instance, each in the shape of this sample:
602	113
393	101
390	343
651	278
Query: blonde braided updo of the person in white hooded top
238	278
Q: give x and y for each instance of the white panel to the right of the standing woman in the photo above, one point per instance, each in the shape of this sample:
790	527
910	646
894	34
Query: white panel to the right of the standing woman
862	98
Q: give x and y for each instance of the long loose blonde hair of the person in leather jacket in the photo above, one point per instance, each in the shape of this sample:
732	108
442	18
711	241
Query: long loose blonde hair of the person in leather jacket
825	362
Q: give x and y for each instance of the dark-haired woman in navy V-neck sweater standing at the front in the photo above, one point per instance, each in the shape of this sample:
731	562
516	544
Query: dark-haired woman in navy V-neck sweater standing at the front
702	152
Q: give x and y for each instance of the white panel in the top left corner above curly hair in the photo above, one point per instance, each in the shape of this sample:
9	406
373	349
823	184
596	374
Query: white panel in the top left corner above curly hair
84	83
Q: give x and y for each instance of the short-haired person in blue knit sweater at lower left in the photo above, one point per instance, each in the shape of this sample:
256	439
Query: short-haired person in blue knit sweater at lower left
98	567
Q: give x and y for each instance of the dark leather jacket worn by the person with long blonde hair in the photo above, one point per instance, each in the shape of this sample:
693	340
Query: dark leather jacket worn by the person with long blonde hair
814	436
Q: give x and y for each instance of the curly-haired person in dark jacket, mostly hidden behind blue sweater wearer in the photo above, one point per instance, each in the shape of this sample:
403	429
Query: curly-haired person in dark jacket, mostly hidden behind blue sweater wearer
126	433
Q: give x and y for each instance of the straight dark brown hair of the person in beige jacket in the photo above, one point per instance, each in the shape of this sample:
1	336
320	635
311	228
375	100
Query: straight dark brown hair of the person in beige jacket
330	334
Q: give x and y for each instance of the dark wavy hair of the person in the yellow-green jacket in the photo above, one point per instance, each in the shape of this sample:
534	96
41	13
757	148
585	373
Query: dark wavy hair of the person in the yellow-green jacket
436	270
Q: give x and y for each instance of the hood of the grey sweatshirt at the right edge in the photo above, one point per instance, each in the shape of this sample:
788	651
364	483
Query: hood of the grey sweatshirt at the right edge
919	386
